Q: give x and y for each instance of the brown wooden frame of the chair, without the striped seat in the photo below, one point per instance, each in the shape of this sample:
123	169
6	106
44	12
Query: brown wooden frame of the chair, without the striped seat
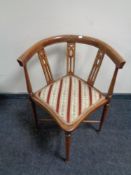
71	40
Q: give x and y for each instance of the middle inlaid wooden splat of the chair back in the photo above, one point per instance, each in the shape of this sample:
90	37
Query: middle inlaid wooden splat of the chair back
70	58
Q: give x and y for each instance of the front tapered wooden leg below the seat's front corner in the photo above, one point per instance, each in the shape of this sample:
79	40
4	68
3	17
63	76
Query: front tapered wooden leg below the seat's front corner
67	144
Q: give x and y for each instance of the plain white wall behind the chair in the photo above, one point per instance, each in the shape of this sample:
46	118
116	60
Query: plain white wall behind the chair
23	22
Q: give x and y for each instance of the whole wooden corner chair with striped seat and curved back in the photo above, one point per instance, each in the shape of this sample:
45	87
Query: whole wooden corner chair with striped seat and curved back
70	100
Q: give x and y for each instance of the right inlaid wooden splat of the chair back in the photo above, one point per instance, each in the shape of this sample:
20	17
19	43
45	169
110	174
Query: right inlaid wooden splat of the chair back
96	67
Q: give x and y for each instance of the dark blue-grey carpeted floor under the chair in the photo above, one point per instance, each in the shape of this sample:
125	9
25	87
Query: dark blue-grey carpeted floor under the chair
23	151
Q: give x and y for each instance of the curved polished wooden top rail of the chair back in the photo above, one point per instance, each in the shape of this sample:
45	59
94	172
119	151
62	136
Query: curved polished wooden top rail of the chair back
114	55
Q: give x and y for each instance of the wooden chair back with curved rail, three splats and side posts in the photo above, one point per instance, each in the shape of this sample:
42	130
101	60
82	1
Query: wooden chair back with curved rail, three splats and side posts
71	40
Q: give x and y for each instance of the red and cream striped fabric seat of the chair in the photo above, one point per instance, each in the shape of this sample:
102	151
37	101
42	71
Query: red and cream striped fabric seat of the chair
70	97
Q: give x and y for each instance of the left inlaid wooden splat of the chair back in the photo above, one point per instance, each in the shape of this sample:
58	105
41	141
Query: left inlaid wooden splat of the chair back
45	65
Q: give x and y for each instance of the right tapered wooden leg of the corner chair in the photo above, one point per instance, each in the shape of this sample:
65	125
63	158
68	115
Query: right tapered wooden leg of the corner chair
104	115
